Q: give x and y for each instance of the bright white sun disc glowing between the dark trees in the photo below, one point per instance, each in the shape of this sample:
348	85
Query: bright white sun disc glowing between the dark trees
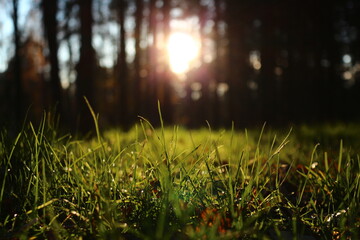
182	49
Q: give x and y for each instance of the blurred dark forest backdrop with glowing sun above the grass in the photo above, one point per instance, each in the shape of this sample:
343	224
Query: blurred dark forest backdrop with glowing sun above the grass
247	61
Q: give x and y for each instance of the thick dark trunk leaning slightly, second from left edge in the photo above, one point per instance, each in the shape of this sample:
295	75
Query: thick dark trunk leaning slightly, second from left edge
50	25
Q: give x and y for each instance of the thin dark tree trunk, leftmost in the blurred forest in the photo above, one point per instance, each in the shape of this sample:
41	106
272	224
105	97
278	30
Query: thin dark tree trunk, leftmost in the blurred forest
17	69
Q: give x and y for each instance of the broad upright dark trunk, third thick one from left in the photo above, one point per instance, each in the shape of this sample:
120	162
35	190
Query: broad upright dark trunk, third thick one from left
85	67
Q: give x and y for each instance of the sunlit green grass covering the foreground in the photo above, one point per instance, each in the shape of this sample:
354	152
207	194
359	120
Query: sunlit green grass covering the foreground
173	183
